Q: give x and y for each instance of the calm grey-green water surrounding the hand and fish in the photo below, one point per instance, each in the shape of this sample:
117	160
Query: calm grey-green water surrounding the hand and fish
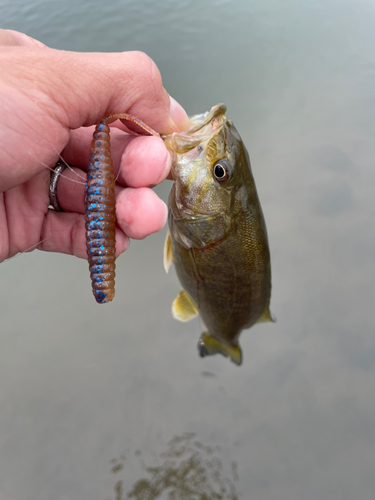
91	396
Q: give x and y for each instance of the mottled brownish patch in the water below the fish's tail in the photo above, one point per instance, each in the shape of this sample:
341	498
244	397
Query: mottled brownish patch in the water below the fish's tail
190	470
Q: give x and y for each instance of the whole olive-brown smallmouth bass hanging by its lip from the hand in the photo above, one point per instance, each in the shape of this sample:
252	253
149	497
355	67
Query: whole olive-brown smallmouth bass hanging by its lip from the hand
217	236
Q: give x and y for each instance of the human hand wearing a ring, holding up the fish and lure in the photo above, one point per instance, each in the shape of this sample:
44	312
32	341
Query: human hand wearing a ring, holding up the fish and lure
50	101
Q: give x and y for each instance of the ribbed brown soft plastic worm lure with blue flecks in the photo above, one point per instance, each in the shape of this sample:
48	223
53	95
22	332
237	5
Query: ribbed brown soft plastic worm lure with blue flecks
100	209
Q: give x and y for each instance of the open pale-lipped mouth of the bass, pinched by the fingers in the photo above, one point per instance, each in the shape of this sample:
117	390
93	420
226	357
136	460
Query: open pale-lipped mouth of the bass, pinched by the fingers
208	124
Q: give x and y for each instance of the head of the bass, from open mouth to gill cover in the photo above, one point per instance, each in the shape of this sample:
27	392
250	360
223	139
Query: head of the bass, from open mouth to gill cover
210	166
